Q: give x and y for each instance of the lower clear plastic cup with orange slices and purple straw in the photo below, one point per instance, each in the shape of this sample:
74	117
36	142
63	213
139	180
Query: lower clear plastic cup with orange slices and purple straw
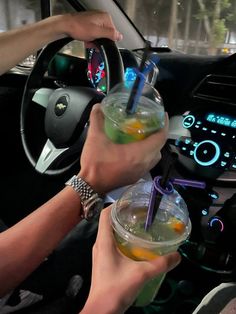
169	230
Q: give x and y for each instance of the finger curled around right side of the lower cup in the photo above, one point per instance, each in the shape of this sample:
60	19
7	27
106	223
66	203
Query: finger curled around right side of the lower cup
165	263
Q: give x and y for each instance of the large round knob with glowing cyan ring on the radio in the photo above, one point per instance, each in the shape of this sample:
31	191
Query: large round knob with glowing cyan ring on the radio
206	153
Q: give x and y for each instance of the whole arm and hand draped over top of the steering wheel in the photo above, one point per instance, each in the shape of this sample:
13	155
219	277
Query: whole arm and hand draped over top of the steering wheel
37	35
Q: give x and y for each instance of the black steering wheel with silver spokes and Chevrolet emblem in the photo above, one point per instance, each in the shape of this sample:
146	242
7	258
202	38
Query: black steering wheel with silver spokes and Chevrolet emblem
57	146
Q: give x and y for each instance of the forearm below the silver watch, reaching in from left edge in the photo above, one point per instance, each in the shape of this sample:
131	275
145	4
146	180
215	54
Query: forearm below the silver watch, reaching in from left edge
24	246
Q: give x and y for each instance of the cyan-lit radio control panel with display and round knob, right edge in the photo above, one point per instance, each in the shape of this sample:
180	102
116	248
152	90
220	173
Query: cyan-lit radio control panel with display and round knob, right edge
207	140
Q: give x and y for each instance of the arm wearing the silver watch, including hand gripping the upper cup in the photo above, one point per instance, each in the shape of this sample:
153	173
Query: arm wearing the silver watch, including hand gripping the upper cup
24	246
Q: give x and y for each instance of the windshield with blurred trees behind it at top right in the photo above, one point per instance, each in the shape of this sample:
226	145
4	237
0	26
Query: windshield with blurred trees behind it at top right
202	27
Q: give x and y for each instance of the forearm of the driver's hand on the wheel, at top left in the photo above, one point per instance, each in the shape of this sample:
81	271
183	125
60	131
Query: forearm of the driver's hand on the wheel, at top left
16	45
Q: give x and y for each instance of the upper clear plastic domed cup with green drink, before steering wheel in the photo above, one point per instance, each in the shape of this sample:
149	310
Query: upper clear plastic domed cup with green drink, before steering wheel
122	127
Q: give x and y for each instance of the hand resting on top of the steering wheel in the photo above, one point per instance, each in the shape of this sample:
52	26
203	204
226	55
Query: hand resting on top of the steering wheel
90	25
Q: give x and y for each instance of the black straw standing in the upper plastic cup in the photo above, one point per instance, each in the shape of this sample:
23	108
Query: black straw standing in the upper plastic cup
131	104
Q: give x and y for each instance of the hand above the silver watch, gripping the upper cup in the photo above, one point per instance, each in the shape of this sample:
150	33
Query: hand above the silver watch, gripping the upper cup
106	165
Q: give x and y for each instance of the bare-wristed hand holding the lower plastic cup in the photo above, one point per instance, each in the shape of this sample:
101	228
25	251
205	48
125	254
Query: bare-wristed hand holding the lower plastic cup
116	279
